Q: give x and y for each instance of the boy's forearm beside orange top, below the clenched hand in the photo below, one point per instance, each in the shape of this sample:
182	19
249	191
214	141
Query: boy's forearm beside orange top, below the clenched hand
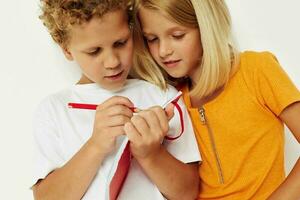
176	180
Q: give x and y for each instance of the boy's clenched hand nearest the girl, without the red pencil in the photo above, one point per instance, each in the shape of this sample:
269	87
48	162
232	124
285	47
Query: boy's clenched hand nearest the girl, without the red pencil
147	129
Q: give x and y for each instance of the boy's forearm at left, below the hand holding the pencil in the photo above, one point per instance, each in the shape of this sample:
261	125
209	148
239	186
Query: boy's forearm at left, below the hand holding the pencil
72	180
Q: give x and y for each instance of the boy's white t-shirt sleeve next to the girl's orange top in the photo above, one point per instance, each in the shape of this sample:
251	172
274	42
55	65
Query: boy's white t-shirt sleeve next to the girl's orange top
185	147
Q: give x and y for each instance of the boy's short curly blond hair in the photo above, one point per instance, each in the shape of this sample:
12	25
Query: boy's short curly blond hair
60	15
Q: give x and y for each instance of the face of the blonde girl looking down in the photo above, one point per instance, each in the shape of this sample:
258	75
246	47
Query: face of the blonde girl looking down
176	48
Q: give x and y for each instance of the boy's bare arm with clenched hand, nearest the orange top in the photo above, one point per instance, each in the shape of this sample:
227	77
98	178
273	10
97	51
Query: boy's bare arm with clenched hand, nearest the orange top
176	180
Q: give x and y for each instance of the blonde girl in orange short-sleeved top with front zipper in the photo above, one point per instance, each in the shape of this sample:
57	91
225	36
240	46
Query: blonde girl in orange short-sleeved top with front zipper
238	101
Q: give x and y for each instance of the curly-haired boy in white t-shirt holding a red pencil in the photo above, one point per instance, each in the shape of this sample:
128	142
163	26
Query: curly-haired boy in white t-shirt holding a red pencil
75	148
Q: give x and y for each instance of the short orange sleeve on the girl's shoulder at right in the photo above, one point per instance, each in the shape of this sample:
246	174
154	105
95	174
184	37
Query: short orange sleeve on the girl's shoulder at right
276	89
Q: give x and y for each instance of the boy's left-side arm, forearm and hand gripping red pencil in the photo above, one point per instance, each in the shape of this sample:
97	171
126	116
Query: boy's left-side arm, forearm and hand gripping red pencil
73	179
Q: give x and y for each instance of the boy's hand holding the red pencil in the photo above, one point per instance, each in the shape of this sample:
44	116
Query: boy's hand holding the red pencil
110	119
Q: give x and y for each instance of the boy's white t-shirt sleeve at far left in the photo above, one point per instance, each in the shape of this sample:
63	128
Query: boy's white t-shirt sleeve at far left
47	150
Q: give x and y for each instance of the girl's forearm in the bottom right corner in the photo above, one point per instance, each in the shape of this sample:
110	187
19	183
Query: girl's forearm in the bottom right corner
289	189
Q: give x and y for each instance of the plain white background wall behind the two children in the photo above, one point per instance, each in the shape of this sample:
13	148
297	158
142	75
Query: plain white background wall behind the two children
32	66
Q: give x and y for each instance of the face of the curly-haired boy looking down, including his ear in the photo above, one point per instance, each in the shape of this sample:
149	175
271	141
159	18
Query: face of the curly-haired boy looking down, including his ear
103	49
